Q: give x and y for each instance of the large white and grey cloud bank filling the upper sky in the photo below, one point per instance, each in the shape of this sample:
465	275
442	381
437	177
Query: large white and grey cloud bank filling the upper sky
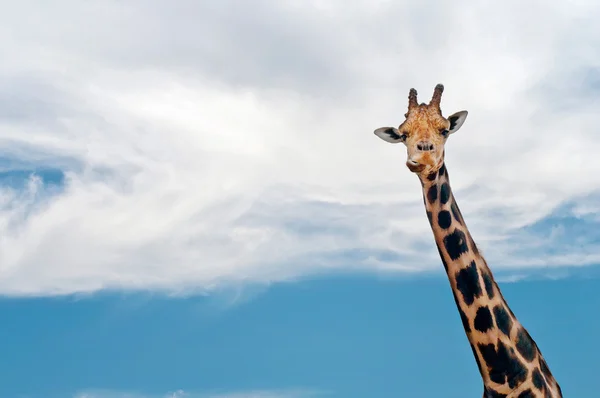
223	142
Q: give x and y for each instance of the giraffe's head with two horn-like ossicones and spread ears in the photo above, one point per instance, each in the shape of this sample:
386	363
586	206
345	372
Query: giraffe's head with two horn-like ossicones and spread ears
424	132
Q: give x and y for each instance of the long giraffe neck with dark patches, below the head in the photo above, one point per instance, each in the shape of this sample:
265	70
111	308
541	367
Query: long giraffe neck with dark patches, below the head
509	360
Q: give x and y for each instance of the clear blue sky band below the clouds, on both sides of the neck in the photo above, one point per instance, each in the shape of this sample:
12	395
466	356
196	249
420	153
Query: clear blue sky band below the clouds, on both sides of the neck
352	336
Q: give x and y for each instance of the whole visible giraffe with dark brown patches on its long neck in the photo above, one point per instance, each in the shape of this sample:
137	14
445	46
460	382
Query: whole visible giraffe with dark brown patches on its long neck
509	361
